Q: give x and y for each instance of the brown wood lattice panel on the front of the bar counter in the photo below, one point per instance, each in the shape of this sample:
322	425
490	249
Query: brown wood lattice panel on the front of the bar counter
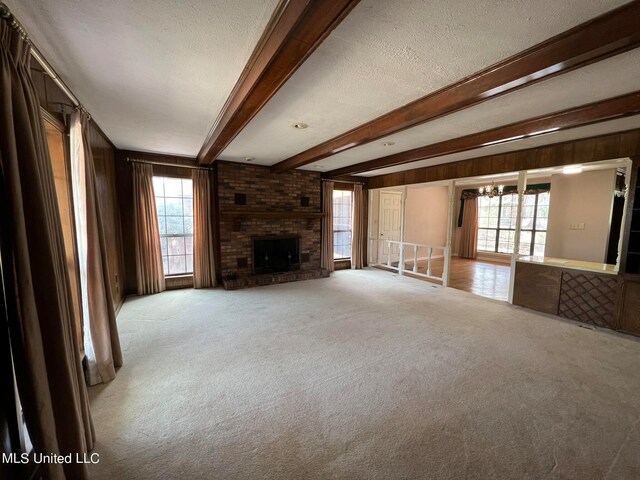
589	298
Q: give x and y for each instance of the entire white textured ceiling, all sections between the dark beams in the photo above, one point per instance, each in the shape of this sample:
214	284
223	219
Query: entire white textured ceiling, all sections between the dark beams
155	74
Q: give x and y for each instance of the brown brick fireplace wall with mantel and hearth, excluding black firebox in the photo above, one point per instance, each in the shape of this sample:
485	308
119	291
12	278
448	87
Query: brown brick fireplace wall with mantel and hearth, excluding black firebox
254	203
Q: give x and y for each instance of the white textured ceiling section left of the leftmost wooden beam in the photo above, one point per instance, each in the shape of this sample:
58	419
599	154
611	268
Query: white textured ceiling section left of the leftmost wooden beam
154	74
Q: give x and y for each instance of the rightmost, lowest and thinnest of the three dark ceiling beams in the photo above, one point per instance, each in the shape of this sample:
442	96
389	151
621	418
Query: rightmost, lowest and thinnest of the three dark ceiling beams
622	106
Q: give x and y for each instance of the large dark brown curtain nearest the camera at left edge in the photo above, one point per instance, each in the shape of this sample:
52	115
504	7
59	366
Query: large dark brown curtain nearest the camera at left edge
47	359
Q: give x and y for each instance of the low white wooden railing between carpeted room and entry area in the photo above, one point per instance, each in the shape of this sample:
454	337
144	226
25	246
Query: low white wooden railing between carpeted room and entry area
392	254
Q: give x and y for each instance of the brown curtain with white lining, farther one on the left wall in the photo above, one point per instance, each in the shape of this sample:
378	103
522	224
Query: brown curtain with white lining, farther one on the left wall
101	340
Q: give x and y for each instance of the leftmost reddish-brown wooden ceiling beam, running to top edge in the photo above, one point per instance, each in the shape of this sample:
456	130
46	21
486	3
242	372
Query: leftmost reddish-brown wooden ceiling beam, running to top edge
294	31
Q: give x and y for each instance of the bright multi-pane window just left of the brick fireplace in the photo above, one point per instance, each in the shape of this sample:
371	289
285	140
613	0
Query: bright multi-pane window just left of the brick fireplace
174	203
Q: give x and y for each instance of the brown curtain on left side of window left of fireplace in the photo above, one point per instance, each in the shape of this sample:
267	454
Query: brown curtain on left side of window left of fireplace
149	271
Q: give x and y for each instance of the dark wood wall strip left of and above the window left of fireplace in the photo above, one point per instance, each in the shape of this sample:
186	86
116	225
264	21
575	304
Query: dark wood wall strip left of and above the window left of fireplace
125	197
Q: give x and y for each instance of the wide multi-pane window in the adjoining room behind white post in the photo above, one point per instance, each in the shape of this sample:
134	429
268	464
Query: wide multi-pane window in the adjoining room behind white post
497	223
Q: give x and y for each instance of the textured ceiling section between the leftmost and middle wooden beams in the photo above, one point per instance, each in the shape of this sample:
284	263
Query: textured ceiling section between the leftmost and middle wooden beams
388	53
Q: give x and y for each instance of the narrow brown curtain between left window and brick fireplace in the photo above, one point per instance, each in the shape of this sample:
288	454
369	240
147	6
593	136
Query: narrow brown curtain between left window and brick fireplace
204	275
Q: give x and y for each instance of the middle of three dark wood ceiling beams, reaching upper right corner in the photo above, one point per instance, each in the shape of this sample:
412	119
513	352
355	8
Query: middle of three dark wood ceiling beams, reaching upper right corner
610	34
